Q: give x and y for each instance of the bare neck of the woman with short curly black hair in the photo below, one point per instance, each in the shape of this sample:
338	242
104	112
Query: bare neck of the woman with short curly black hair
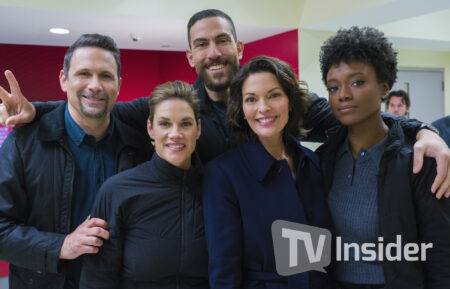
366	135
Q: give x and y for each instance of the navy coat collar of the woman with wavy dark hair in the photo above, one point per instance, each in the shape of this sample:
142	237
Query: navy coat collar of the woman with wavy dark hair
262	164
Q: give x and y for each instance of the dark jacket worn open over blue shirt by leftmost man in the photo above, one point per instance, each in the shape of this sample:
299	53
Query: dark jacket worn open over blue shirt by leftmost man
36	184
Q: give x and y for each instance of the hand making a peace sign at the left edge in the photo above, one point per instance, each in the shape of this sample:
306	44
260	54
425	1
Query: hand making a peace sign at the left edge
15	108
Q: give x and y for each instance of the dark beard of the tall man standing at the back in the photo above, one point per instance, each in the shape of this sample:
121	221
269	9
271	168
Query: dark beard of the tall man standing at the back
229	75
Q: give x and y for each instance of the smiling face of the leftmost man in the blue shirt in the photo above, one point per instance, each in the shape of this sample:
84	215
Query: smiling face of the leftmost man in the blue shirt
92	84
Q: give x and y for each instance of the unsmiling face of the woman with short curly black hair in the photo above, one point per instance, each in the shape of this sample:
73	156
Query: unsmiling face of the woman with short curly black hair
354	92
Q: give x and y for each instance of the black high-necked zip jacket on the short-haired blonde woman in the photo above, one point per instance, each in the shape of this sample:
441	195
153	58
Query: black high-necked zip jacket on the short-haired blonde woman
157	238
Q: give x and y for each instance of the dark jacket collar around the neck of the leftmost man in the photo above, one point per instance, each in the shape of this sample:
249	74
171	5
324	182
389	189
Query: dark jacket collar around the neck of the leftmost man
52	128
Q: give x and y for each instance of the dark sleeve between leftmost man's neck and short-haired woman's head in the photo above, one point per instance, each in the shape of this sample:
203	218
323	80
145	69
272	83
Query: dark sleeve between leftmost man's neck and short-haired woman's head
134	113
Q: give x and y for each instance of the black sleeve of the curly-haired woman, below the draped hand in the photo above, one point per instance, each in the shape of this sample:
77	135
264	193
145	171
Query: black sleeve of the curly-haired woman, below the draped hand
433	221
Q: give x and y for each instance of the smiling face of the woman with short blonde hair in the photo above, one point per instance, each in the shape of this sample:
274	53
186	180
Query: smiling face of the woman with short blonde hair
175	132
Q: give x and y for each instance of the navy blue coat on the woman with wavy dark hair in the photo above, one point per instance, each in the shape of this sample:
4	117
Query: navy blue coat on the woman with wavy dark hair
244	191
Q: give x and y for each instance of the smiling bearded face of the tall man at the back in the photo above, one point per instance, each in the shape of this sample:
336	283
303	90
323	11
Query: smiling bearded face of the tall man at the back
214	53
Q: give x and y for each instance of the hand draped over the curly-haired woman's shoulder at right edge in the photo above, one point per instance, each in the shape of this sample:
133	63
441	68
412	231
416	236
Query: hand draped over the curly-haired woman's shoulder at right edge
429	144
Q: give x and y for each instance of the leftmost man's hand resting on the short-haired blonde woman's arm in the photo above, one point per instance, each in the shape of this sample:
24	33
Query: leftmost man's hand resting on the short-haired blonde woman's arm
86	239
